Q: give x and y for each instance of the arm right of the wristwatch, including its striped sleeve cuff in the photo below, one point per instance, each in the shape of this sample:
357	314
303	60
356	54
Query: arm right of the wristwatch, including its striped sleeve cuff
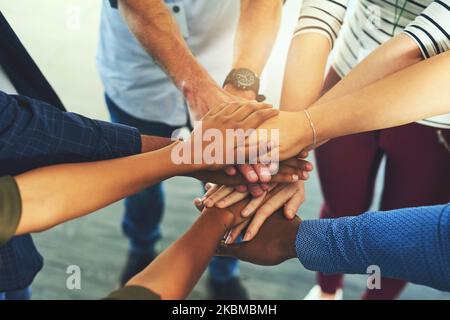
318	27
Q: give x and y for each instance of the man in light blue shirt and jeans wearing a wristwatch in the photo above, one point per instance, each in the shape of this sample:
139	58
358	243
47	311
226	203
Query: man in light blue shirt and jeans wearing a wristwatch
161	62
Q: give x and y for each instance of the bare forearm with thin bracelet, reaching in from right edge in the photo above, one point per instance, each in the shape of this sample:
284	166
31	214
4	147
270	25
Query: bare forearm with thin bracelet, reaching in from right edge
395	100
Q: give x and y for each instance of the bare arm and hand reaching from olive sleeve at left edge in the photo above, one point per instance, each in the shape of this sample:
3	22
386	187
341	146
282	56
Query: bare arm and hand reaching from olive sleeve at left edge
48	193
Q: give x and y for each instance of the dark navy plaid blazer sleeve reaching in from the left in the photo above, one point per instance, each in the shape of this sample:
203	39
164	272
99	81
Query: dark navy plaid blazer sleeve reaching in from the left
35	134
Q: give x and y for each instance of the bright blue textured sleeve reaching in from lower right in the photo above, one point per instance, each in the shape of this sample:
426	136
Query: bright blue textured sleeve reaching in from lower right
411	244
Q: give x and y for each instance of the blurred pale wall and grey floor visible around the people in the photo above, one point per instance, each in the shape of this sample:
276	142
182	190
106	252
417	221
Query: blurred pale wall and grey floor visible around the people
65	51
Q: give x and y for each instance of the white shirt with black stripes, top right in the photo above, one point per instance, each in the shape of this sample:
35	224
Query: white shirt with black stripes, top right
374	22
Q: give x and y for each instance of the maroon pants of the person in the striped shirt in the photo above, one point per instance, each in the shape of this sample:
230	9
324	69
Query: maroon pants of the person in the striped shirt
417	174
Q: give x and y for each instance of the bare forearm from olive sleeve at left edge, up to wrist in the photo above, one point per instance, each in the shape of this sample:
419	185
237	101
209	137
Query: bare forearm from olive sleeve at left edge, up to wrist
93	185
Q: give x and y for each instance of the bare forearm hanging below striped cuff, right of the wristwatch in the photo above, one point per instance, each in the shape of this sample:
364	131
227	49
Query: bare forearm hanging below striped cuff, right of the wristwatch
304	73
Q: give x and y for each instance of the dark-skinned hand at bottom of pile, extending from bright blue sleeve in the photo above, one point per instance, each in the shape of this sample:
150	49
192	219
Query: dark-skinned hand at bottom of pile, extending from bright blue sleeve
274	243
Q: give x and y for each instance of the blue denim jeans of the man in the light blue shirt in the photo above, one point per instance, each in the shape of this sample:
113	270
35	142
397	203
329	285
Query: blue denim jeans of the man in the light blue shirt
144	210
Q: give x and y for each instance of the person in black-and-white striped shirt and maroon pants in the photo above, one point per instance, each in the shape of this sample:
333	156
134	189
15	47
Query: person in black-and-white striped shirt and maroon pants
412	31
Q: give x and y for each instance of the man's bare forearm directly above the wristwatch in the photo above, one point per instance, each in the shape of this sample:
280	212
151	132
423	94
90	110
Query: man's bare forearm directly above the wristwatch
257	30
